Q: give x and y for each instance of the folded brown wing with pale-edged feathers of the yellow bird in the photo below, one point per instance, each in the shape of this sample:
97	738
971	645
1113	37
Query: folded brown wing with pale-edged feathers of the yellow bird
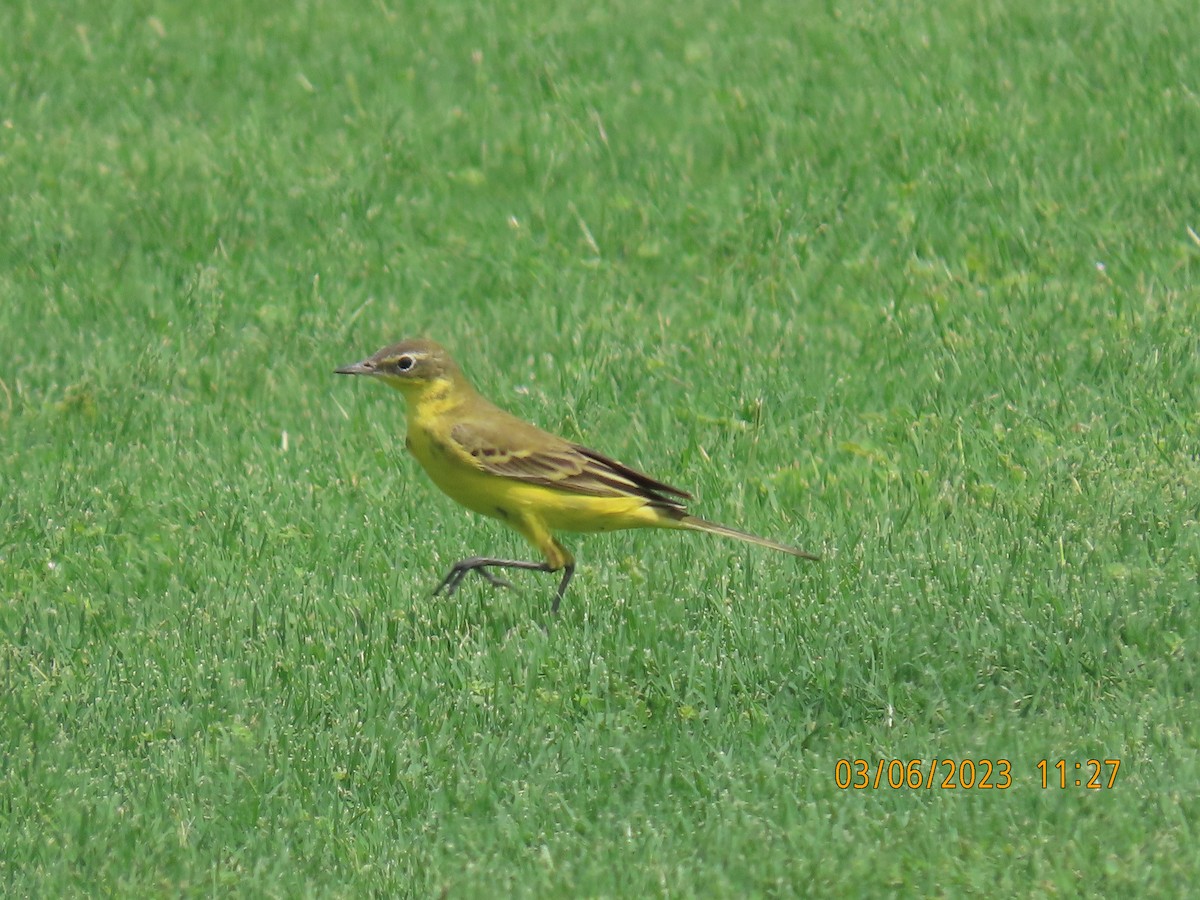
515	449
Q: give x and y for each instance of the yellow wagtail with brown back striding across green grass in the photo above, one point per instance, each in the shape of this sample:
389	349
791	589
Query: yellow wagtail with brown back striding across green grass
532	481
